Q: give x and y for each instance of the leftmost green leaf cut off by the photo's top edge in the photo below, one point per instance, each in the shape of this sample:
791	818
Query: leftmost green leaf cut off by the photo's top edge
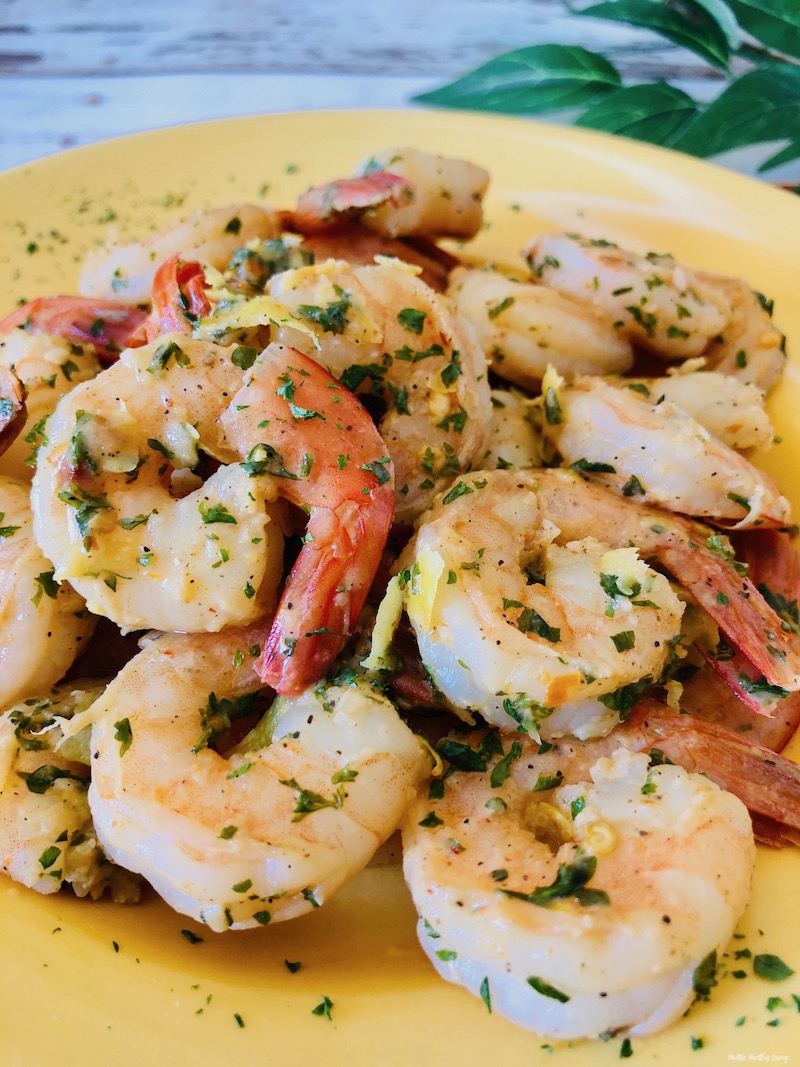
690	25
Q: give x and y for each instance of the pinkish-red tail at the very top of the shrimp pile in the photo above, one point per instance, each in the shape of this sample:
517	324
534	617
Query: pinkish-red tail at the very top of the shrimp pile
328	205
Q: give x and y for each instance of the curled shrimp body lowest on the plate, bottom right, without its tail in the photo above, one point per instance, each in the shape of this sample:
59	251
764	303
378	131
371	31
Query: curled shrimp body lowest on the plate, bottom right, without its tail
578	900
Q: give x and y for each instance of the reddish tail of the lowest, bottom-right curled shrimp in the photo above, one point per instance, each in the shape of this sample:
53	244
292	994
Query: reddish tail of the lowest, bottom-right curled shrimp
770	785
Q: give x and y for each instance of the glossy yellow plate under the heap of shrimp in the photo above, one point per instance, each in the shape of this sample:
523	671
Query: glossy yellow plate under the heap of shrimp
101	984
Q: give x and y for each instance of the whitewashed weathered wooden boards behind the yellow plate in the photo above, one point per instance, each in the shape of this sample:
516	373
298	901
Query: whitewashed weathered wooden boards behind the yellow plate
73	72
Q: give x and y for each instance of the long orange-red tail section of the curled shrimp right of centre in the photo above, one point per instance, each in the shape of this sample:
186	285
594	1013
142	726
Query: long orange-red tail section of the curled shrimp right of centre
699	559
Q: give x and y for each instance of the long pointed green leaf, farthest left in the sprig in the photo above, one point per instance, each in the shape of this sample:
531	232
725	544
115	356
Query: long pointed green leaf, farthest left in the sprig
533	81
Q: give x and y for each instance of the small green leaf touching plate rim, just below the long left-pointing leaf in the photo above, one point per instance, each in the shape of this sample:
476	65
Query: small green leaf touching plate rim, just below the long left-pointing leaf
655	114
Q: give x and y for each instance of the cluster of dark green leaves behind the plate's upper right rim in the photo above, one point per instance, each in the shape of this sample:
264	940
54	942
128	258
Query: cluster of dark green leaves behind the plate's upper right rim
754	47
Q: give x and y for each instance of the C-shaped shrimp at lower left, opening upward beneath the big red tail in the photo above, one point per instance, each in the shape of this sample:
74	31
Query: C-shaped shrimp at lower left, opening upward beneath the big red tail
262	834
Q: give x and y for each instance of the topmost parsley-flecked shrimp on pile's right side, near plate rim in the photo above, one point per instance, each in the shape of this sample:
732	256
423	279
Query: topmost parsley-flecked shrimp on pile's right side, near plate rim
653	301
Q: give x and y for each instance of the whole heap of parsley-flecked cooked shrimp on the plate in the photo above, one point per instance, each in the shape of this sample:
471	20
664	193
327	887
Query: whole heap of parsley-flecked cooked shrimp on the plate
312	531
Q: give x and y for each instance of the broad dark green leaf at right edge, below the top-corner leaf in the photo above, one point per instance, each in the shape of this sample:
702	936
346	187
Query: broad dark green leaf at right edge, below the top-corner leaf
758	107
